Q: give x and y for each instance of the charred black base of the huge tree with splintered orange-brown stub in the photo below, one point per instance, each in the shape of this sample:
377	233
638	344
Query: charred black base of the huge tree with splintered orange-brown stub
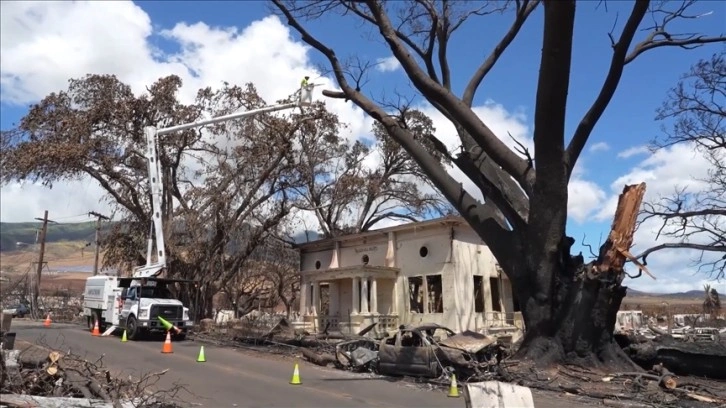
571	316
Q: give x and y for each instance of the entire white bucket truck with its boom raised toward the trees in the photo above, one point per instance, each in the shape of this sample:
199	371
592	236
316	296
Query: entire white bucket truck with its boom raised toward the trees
134	304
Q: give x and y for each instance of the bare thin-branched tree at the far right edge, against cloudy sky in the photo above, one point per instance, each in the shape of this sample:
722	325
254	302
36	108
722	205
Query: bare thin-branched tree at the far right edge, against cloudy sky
696	220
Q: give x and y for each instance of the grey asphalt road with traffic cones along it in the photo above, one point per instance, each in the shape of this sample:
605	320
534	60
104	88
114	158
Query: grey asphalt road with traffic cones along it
233	378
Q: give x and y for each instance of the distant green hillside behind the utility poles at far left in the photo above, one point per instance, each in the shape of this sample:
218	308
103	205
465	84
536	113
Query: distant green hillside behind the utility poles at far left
13	232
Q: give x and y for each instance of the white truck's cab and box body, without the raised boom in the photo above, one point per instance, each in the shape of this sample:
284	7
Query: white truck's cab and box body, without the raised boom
134	305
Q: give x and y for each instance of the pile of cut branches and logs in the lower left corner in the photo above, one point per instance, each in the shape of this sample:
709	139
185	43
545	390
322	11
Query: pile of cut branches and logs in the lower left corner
36	376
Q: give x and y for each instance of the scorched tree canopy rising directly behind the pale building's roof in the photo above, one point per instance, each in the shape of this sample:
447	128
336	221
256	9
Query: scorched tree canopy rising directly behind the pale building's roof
351	187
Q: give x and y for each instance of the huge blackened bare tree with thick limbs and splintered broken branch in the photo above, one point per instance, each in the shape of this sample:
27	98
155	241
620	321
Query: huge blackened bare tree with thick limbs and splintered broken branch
568	307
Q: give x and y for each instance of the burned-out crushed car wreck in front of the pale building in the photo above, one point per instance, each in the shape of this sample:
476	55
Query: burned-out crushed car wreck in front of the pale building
430	349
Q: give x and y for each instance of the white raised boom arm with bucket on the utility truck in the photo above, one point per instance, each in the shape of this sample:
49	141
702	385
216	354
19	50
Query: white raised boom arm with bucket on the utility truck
155	179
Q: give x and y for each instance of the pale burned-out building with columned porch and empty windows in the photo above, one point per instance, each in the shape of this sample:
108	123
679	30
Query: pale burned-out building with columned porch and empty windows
436	271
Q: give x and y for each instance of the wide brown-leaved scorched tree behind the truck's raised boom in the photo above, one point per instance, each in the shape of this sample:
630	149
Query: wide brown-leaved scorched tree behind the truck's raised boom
225	185
